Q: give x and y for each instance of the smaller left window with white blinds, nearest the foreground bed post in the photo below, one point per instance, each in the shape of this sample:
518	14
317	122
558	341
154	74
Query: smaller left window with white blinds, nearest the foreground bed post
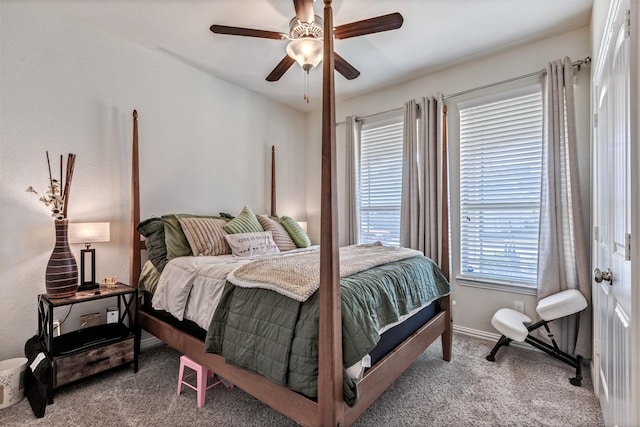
381	181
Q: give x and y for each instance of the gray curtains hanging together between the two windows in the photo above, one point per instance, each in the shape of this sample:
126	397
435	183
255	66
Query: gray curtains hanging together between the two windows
420	219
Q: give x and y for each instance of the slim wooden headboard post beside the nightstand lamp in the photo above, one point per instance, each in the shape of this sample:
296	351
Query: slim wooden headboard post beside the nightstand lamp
135	244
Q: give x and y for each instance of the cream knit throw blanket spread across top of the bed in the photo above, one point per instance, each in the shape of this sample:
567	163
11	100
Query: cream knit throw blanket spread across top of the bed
298	276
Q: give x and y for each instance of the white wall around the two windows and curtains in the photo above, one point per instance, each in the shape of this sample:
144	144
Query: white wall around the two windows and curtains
474	307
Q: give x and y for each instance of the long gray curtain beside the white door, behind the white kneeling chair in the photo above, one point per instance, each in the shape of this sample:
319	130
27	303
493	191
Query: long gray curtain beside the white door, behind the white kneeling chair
562	256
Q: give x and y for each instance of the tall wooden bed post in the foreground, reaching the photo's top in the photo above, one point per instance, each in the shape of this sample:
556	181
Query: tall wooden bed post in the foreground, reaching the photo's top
330	382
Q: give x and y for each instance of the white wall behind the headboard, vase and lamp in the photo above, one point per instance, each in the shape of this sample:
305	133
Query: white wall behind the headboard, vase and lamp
65	87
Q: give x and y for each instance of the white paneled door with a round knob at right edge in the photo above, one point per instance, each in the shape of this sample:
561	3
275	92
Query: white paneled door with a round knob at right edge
612	205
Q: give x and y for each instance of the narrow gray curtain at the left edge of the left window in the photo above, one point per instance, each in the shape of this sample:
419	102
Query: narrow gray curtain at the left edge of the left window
352	160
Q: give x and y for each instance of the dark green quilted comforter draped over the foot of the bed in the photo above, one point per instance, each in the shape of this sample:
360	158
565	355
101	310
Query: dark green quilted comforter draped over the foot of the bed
277	337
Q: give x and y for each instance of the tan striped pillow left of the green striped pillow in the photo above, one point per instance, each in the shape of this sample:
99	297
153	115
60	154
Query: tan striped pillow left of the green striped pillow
205	236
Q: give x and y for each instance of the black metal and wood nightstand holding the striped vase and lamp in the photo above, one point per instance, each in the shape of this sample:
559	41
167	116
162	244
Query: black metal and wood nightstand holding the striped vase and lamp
79	354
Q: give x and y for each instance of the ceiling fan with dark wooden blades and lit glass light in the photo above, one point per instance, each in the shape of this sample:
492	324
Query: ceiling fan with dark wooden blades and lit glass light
306	34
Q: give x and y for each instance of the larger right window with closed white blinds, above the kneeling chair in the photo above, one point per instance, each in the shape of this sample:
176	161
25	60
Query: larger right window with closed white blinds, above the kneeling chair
500	181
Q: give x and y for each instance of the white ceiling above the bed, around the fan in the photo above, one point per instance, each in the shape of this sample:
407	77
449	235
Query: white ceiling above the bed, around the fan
435	34
